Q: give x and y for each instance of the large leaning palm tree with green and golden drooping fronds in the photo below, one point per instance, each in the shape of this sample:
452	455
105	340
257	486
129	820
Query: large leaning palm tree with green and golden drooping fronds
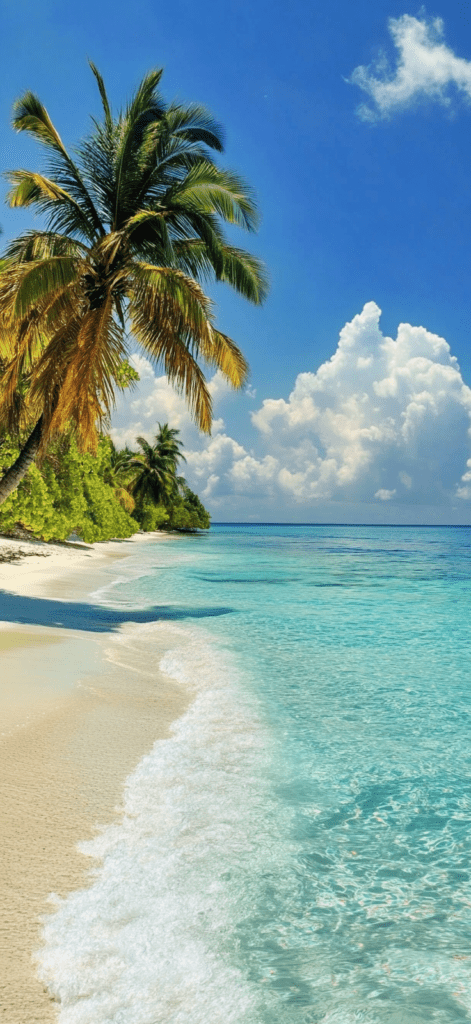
134	228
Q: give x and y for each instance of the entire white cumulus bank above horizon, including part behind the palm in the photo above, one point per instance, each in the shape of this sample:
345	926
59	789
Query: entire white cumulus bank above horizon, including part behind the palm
386	423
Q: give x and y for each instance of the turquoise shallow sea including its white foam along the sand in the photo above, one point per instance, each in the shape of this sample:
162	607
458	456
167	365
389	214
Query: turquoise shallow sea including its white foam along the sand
299	850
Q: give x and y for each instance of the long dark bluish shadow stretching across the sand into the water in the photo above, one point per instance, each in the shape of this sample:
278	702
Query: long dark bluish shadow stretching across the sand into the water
93	618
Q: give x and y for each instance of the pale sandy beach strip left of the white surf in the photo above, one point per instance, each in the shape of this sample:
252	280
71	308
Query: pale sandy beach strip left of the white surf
73	726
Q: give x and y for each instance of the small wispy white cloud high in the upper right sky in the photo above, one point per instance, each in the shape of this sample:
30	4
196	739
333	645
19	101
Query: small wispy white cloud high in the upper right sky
426	69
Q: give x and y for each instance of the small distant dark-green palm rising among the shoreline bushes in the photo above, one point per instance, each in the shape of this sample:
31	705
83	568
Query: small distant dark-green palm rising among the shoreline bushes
156	468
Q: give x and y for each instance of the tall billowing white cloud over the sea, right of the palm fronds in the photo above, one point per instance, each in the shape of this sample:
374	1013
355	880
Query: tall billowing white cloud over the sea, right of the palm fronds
381	419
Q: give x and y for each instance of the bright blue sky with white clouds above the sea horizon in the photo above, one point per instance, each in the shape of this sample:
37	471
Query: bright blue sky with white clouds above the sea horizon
363	181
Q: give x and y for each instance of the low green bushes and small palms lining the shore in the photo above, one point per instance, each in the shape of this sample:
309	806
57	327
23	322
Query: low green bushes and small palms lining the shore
105	495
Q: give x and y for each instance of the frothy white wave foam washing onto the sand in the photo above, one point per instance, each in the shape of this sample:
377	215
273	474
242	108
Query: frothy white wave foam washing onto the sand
152	940
